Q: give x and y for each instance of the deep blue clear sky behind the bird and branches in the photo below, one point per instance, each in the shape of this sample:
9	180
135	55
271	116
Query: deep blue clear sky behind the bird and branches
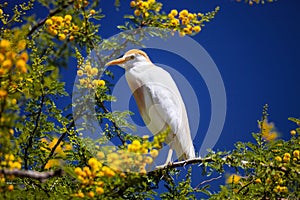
256	50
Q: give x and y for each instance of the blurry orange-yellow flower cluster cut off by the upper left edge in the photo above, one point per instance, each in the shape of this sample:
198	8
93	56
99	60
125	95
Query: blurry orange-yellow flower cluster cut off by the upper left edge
12	55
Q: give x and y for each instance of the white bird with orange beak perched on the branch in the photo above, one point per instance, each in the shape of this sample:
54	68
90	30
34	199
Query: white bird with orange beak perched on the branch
159	101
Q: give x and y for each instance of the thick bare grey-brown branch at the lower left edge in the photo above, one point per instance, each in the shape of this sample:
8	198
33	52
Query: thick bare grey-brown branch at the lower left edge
41	176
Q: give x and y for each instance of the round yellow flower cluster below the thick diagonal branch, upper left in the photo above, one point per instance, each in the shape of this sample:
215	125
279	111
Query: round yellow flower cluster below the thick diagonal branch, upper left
62	27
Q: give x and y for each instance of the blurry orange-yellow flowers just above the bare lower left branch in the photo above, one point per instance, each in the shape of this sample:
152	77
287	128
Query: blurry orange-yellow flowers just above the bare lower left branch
47	146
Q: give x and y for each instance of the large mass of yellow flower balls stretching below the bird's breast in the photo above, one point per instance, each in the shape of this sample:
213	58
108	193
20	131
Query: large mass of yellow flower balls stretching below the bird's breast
112	163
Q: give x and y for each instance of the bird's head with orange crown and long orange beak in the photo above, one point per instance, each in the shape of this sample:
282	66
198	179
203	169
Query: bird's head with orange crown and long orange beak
130	59
